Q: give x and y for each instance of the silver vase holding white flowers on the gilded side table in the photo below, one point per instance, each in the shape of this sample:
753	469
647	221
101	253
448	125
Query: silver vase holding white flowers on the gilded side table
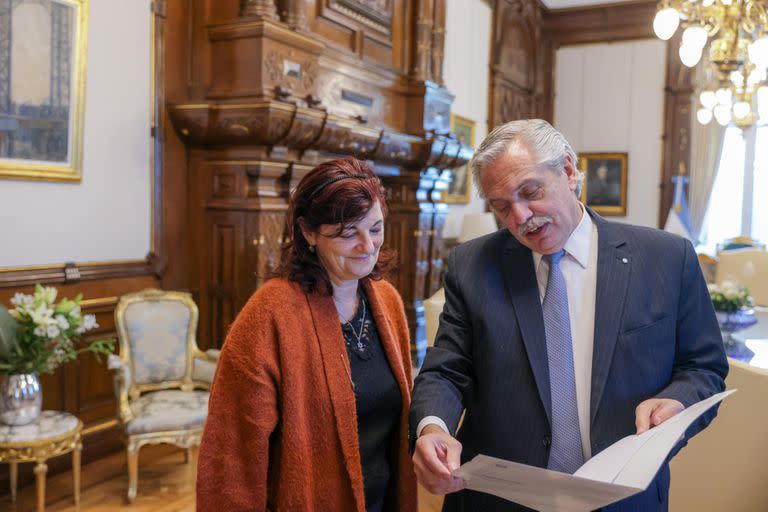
21	398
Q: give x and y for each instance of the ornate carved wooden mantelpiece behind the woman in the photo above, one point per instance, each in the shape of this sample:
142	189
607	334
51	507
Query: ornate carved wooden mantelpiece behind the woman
274	88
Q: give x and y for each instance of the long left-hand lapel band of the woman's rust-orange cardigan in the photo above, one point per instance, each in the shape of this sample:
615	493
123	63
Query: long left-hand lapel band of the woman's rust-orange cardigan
338	377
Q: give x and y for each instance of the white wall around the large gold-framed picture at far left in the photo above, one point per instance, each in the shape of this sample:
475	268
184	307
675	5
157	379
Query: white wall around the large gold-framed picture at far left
106	217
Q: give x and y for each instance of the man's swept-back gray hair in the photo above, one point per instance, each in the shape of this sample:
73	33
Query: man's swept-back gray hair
546	144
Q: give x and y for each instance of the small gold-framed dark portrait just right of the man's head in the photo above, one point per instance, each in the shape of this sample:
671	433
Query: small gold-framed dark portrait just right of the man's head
605	182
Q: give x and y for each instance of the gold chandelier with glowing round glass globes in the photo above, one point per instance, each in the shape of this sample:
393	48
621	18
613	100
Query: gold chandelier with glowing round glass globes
738	54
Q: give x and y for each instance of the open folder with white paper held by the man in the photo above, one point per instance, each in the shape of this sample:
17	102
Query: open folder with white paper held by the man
621	470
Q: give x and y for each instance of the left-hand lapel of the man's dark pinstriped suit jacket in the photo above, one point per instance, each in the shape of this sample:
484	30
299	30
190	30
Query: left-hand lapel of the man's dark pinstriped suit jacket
523	289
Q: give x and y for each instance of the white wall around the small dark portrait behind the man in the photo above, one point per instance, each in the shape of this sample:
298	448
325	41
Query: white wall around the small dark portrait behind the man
610	98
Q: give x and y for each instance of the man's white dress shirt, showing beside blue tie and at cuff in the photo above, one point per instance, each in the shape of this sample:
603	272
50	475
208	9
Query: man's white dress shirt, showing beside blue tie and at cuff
579	267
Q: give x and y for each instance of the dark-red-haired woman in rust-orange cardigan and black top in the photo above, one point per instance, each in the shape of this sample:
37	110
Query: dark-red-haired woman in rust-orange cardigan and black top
309	407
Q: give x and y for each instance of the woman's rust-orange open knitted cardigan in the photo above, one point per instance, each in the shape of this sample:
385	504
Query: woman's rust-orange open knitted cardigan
281	432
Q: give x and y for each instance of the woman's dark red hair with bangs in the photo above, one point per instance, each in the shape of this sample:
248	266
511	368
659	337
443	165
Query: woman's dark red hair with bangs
335	192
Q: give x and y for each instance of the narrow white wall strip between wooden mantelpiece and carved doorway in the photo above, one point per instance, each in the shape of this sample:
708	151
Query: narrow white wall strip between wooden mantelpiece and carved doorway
465	71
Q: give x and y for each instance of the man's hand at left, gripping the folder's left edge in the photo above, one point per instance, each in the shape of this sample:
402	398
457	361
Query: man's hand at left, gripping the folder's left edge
436	456
